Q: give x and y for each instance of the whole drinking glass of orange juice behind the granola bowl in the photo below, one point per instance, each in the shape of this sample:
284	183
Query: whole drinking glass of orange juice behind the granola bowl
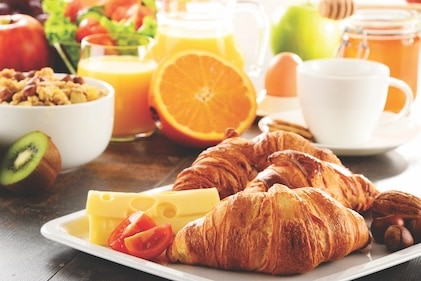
124	61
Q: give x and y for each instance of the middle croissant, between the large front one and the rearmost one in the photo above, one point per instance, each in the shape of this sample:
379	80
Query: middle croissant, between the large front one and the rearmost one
297	169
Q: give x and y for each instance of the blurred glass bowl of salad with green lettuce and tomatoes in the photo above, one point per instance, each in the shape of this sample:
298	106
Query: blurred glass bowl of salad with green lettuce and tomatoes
69	21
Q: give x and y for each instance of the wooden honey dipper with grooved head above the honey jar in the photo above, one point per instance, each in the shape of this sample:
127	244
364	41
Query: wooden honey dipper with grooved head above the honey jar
340	9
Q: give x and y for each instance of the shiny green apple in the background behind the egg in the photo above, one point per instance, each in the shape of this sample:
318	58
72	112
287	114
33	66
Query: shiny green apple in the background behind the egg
300	29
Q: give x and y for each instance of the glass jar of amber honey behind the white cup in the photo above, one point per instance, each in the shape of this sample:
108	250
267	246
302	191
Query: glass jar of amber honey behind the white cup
389	36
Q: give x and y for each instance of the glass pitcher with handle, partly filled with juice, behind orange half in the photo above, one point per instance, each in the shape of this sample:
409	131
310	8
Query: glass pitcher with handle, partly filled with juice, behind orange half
208	25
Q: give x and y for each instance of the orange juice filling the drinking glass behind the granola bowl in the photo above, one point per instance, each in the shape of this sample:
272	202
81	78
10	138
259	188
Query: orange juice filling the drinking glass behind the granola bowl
130	78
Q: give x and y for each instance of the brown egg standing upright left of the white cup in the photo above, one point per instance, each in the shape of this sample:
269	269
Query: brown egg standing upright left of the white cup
280	76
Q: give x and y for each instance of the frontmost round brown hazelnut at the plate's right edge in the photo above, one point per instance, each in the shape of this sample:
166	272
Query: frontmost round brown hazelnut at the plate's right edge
397	237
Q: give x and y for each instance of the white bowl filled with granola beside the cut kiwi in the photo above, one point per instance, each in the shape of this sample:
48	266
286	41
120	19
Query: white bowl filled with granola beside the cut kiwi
80	130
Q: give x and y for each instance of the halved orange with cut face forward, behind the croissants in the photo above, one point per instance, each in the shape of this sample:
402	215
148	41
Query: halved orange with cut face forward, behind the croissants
196	96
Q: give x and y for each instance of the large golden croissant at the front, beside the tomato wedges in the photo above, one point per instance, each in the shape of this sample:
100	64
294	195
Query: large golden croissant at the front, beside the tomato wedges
281	232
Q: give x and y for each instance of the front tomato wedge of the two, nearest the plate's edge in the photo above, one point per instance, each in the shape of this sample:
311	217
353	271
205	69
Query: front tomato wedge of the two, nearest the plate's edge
150	243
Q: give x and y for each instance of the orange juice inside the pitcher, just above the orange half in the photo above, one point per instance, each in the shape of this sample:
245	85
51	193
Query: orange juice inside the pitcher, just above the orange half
171	40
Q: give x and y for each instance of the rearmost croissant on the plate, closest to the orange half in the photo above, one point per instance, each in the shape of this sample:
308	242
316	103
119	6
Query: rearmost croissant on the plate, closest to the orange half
231	164
